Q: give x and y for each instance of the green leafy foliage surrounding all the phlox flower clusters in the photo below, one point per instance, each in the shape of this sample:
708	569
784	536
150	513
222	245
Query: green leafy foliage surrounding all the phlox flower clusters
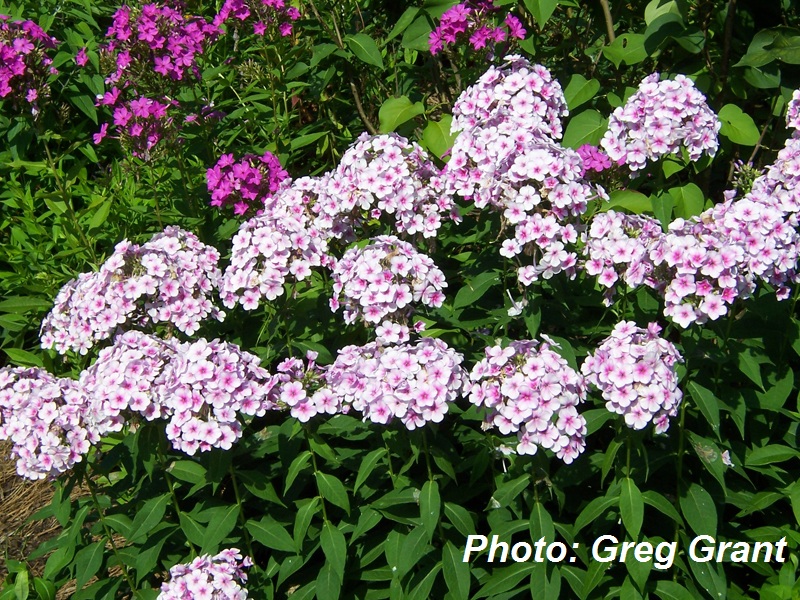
339	507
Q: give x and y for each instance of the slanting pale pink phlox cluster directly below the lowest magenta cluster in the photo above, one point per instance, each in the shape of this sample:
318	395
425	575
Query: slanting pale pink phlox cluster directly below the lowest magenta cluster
278	244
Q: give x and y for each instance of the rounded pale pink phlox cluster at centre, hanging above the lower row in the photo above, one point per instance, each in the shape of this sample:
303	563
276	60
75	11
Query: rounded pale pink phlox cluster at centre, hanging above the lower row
381	280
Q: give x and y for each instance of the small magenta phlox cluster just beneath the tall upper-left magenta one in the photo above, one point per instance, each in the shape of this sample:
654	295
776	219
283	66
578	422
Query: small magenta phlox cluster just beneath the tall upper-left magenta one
140	123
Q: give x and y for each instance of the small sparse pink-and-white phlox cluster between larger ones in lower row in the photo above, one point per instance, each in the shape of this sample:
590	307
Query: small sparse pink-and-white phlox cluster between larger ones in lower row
301	388
